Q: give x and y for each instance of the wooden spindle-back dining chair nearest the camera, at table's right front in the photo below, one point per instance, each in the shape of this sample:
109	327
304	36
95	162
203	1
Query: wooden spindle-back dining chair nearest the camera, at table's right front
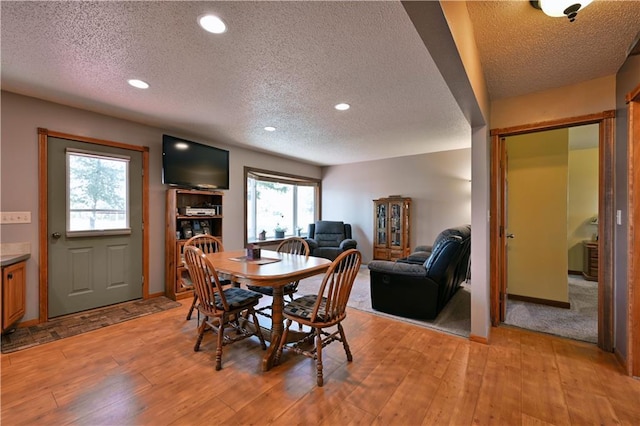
324	310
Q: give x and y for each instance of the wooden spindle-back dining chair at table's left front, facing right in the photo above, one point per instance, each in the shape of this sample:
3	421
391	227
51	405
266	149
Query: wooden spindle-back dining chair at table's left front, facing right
221	307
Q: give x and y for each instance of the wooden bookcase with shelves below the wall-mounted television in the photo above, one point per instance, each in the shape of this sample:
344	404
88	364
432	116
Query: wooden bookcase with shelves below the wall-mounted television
188	213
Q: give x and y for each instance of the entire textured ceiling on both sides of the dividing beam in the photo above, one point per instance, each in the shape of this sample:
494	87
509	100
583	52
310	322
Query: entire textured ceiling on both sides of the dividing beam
285	64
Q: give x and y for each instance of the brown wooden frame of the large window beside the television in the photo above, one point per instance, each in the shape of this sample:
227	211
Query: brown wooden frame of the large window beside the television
283	178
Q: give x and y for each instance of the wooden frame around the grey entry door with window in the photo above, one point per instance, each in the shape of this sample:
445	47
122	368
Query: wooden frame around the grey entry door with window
43	206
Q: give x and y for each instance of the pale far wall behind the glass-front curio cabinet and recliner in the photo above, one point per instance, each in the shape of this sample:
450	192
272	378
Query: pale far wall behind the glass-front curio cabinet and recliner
438	183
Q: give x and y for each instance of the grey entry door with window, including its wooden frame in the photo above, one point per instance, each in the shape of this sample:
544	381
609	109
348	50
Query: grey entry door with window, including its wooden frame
82	280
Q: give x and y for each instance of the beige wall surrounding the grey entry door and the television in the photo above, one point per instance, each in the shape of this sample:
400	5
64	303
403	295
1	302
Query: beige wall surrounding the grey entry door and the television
21	117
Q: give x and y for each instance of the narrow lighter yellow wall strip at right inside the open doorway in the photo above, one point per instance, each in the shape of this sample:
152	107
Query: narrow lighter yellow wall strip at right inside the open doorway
582	203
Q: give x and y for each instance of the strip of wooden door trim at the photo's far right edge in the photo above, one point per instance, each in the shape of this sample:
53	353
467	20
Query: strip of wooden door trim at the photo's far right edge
633	266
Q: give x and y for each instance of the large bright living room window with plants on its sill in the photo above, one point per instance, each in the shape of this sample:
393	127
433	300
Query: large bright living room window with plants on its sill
279	206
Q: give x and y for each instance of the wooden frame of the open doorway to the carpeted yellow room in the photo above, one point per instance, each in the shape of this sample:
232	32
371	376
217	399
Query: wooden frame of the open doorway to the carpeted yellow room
606	215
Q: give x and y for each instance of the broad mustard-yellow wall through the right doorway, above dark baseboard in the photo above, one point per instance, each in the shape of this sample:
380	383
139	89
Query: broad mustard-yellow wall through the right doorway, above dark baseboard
537	215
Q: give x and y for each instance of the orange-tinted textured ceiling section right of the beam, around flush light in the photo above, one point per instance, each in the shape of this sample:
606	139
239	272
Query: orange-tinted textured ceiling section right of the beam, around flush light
524	51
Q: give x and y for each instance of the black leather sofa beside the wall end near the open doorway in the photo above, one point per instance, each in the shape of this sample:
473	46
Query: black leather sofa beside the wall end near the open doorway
421	284
